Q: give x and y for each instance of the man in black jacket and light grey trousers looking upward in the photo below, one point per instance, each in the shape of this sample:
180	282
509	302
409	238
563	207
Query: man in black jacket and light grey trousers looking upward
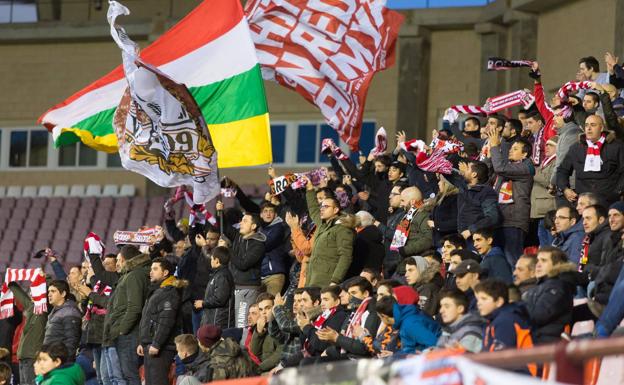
247	251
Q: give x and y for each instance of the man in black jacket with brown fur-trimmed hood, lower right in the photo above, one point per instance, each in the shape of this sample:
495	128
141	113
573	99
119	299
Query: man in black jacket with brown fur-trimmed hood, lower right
550	303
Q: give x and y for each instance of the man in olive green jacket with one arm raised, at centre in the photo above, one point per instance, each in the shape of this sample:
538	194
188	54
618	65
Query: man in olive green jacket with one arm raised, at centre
332	250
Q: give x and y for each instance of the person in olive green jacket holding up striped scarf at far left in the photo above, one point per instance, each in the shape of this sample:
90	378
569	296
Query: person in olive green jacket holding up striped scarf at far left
31	338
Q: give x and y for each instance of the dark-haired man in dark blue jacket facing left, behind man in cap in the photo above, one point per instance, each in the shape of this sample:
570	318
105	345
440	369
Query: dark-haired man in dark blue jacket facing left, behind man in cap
493	263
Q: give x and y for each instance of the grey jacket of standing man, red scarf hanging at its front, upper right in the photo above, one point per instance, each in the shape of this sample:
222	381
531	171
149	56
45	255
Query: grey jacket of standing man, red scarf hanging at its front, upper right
520	174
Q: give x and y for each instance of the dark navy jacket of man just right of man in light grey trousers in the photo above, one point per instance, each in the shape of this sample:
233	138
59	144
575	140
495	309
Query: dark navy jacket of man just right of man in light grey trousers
275	259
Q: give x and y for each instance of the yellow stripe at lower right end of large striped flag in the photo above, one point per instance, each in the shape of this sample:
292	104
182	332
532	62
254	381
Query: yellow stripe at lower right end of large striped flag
245	142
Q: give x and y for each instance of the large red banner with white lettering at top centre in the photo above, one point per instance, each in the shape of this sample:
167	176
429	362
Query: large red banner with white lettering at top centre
327	51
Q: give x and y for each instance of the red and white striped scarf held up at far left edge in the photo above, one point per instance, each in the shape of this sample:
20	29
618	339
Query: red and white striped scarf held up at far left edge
38	290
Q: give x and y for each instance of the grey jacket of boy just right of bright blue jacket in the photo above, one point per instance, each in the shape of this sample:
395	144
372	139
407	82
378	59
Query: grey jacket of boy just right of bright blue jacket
467	331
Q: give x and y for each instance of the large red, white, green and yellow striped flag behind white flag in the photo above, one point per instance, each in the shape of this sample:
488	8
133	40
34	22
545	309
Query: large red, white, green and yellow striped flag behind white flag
211	52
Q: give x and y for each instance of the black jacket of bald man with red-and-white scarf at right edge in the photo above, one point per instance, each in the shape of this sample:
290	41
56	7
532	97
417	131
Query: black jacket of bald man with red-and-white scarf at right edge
606	183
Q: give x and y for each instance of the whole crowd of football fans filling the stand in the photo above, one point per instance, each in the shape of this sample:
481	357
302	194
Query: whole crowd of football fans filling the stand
384	258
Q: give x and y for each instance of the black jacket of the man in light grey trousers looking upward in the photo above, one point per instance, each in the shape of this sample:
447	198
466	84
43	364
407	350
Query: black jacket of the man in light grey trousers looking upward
247	255
